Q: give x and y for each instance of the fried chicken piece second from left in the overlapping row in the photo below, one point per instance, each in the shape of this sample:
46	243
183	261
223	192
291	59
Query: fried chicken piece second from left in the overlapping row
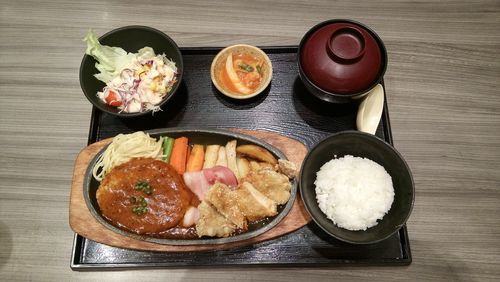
225	202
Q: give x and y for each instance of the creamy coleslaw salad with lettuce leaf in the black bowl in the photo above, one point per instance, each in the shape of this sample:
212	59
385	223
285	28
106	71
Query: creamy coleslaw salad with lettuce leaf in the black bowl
135	82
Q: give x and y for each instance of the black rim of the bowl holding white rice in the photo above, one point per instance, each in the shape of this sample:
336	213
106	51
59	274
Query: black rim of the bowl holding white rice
374	138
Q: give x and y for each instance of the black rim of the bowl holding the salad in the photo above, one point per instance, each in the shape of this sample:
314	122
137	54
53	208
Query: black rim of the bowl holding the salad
180	70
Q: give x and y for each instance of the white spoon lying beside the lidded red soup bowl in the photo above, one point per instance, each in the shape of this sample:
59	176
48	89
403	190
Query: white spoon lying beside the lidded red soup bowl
370	110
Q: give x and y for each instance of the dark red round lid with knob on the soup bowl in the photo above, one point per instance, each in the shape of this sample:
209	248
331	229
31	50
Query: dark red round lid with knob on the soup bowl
342	57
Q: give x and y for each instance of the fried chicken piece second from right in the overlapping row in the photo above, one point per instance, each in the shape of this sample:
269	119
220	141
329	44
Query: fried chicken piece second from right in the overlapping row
254	204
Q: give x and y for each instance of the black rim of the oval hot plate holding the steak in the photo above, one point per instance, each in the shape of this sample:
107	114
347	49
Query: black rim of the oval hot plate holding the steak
208	241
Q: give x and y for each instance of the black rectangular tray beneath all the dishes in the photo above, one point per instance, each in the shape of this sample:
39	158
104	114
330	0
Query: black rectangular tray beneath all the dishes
285	108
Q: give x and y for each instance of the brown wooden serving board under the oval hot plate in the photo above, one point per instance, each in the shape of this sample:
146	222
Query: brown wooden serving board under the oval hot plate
83	223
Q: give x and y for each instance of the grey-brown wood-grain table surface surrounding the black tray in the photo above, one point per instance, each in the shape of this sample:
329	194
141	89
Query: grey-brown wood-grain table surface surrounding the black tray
442	83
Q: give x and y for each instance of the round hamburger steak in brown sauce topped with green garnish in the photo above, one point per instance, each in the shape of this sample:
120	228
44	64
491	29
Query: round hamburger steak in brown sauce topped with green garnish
144	196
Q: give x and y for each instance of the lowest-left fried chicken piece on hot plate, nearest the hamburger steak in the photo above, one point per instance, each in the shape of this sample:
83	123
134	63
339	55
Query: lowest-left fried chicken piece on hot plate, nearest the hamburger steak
212	223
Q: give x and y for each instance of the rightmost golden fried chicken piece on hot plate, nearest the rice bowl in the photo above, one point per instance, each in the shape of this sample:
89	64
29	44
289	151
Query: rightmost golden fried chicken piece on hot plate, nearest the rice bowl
272	184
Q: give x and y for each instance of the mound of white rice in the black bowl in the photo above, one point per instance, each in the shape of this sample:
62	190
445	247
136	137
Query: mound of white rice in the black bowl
354	192
